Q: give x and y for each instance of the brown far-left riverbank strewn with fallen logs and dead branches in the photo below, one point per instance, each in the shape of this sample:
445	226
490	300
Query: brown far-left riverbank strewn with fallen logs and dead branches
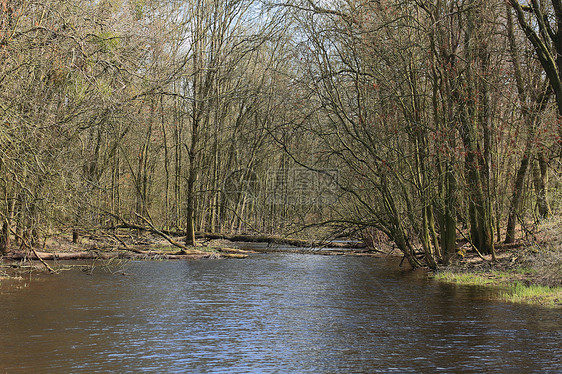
127	243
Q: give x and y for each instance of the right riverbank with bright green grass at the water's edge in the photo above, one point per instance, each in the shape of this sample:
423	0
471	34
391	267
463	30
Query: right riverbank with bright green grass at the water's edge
528	273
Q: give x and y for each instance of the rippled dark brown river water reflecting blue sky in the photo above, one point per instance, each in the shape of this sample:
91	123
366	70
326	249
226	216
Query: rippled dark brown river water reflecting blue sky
269	313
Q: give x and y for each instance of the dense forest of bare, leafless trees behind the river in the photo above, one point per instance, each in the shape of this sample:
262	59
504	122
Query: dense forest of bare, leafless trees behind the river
423	123
